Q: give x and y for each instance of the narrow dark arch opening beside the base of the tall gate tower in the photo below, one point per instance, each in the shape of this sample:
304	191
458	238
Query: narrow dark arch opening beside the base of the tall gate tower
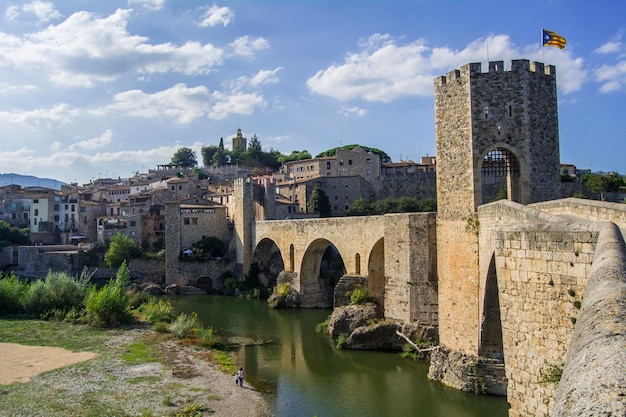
491	345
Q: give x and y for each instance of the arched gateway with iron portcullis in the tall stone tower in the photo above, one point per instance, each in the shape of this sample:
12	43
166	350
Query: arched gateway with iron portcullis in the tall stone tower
501	174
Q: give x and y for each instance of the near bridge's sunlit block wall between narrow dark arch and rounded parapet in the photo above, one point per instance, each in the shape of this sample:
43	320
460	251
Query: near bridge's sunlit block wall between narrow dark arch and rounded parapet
542	266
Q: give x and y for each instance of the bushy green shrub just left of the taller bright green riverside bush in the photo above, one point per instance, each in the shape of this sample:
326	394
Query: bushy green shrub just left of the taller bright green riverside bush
59	291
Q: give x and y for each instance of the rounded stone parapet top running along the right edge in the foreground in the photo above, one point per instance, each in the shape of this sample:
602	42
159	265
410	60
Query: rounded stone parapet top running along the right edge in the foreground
594	378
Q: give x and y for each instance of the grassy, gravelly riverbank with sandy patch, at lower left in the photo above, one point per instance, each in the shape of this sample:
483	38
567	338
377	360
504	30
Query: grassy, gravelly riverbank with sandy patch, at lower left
134	372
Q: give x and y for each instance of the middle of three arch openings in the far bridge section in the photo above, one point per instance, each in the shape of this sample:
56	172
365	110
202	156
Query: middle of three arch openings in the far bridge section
321	268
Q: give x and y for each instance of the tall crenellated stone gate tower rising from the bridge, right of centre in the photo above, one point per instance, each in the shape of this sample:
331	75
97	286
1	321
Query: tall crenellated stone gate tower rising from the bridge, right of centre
496	137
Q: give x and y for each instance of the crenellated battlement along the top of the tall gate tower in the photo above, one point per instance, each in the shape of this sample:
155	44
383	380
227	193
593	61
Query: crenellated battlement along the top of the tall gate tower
496	67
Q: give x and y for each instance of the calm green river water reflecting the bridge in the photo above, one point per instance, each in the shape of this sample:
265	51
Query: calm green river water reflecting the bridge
305	375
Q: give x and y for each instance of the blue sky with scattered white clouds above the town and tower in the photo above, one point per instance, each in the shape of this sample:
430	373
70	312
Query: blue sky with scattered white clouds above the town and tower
91	89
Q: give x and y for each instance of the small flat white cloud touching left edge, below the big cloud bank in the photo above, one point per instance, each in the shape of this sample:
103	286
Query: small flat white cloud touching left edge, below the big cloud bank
40	119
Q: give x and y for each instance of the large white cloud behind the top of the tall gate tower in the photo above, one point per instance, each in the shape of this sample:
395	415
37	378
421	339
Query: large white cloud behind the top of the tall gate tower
386	70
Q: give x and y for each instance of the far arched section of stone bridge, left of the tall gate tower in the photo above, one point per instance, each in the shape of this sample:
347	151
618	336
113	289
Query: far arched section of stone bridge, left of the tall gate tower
387	252
